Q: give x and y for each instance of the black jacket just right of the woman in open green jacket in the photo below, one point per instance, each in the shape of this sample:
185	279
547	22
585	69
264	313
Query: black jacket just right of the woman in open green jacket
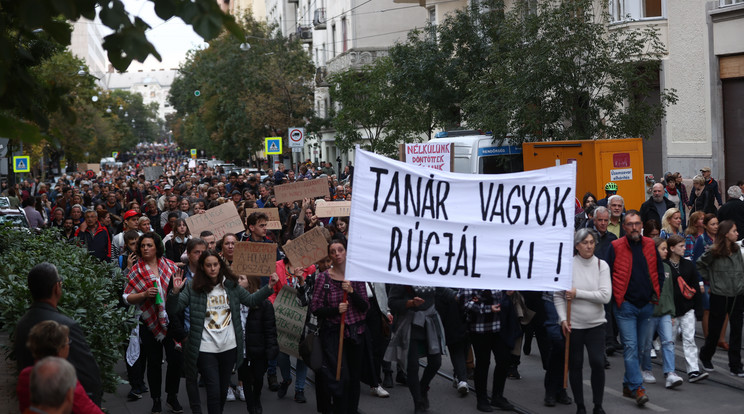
260	333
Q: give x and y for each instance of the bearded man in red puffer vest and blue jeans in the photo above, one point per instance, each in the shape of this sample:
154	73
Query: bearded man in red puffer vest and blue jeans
636	266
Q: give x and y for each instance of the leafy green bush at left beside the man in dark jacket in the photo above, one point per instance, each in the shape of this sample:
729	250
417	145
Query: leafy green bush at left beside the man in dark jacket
91	291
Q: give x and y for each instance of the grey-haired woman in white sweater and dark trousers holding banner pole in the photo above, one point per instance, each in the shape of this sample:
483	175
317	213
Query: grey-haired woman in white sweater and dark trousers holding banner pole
591	290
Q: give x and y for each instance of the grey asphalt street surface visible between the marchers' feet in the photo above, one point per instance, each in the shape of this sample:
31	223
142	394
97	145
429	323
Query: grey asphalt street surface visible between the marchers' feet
721	393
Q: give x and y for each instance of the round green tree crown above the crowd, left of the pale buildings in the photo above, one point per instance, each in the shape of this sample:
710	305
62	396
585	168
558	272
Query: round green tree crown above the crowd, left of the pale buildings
244	95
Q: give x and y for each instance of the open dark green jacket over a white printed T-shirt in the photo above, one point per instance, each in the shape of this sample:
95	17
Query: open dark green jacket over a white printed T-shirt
197	303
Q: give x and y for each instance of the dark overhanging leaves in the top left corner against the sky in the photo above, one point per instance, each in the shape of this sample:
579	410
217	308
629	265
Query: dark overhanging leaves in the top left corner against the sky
33	30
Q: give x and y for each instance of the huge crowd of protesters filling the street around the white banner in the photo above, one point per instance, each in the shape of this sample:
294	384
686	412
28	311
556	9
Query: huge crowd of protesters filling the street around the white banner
208	320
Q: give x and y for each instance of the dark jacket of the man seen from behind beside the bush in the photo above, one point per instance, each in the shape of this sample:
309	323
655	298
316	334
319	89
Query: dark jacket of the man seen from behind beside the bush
80	356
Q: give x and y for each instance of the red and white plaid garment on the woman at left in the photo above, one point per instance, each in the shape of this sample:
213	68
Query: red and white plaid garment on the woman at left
140	279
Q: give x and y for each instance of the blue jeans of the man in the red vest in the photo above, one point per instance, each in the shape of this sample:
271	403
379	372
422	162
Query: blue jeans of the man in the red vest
633	323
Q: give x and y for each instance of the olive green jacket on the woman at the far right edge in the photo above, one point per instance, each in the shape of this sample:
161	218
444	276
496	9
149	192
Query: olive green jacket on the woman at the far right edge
725	274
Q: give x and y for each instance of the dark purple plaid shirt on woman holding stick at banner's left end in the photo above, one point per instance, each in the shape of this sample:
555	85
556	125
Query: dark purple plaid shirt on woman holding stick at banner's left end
328	294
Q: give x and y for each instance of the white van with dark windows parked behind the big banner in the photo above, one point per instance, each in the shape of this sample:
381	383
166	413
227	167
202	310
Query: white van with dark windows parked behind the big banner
477	153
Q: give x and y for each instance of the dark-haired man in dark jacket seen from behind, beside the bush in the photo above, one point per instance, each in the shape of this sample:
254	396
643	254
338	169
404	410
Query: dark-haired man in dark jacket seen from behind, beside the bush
45	285
